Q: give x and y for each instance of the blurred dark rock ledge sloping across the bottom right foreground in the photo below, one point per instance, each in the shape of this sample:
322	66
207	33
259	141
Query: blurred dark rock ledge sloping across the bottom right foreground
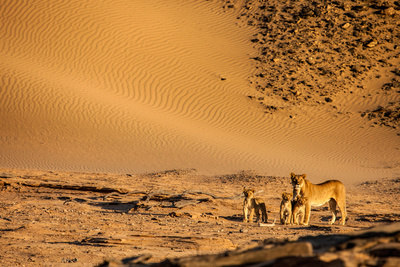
379	246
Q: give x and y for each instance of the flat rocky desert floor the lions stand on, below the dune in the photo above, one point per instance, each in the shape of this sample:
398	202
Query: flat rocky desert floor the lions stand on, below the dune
52	218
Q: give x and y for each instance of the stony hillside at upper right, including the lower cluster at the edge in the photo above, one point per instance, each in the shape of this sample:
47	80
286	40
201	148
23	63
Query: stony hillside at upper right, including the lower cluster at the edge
313	53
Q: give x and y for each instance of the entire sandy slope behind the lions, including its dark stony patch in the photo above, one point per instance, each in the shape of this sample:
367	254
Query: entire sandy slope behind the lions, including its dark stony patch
144	86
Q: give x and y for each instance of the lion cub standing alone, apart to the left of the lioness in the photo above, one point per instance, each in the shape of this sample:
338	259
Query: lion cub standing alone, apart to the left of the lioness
251	205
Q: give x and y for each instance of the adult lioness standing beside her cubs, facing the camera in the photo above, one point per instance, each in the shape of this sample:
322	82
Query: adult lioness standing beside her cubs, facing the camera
331	191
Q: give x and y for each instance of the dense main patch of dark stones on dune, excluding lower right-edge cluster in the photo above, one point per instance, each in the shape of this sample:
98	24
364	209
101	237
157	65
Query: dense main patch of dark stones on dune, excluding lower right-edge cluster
320	42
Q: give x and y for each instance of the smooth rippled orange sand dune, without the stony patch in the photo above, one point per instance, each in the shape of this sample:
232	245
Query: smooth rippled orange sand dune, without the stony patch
141	86
